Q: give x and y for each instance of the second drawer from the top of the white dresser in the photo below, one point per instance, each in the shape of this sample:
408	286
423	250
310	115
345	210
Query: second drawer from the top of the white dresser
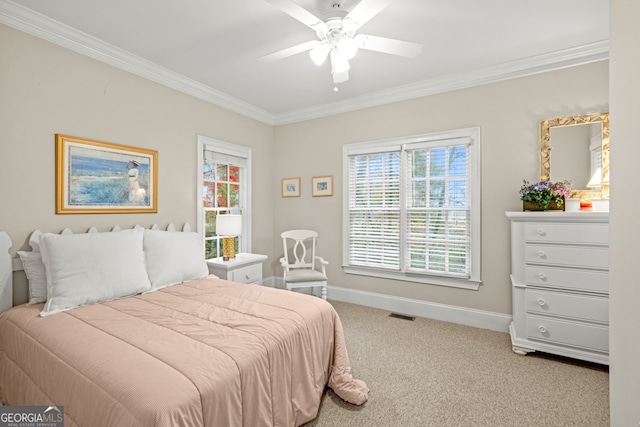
590	257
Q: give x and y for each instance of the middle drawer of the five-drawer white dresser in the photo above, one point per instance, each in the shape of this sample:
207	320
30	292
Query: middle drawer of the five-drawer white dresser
583	280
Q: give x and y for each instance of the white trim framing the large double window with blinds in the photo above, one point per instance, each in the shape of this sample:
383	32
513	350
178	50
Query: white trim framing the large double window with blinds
395	144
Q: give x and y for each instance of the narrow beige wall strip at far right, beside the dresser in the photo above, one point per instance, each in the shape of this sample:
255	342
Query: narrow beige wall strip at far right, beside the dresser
624	306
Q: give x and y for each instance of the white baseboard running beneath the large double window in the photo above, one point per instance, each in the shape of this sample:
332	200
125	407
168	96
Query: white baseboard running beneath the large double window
449	313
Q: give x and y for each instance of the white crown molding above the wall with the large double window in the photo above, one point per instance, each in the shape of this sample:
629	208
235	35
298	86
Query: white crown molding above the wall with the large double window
593	52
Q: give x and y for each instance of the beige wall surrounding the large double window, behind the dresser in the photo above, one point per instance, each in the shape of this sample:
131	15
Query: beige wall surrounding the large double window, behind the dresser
507	113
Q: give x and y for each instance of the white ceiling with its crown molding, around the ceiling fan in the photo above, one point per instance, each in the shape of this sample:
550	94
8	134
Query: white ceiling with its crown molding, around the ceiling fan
210	48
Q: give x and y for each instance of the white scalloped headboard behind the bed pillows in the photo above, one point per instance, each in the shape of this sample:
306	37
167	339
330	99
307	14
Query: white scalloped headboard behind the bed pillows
8	264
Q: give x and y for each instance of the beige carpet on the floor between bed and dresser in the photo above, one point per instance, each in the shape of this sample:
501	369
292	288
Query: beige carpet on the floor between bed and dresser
431	373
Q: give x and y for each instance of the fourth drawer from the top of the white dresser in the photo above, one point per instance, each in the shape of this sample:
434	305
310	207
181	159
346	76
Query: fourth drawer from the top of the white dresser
581	307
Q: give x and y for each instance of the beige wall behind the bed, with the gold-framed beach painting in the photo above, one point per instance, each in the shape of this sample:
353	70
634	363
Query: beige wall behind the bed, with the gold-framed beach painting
46	89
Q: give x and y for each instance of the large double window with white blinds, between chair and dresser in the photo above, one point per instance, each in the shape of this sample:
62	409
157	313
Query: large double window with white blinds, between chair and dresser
413	208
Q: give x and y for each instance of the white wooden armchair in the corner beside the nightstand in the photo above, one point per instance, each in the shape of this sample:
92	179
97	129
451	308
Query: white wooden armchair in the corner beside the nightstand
302	268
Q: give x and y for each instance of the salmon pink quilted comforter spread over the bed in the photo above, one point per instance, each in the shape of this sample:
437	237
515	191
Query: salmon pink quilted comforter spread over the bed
203	353
